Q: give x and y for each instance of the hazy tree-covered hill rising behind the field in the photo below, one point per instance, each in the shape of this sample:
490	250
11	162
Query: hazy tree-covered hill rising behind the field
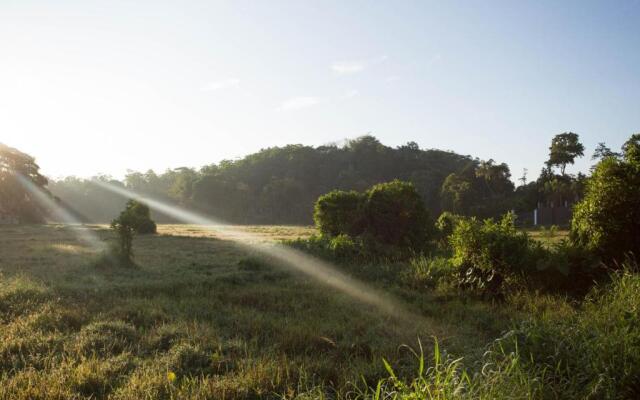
275	185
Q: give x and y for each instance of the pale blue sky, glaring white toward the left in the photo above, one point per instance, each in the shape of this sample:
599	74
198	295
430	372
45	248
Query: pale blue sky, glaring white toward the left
95	87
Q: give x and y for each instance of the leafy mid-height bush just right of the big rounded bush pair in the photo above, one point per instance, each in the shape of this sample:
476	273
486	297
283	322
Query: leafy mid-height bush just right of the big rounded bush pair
487	252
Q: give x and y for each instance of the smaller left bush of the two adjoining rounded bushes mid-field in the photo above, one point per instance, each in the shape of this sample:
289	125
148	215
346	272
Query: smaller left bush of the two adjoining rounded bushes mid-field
339	212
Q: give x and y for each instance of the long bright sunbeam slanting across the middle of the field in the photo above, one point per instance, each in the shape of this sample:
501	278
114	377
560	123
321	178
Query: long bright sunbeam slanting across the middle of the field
313	267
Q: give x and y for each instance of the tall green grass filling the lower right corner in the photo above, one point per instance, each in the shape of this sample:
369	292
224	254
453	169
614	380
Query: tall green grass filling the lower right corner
593	353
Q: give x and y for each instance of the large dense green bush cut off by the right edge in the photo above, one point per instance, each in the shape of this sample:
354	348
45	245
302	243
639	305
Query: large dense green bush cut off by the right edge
607	220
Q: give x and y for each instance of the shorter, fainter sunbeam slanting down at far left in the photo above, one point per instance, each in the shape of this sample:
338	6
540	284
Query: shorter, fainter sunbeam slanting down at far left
60	214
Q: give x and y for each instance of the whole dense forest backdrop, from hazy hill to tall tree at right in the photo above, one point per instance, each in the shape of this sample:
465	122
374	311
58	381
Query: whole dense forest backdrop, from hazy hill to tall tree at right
279	185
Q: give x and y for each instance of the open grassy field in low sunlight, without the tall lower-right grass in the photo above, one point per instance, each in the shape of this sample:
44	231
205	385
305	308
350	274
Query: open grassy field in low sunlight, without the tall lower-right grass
201	318
